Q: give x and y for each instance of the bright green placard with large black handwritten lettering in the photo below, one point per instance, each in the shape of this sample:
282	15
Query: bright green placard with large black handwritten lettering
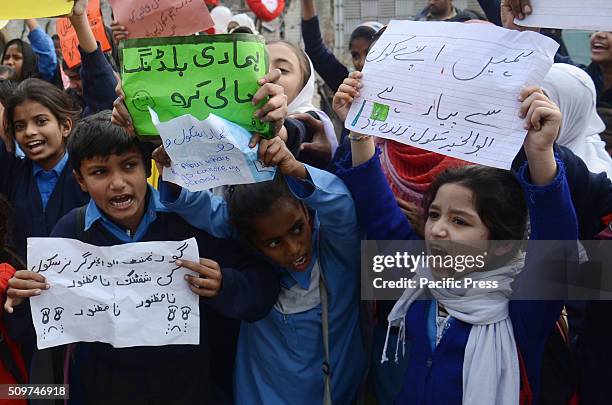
194	75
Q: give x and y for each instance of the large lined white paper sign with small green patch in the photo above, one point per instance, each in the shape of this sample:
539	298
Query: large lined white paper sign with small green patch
451	88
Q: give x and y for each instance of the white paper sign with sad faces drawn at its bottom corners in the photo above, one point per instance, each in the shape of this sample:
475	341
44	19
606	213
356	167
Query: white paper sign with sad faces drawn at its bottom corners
125	295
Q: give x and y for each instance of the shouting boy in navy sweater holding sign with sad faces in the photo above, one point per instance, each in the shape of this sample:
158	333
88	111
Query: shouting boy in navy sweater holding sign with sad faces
112	167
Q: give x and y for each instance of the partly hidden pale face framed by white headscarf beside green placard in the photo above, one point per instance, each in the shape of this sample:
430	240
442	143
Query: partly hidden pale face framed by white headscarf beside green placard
282	57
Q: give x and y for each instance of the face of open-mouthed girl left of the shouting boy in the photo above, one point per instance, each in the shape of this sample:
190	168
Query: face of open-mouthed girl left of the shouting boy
39	134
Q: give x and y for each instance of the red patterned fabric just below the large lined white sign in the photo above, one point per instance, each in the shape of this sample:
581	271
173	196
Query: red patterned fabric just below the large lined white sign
417	168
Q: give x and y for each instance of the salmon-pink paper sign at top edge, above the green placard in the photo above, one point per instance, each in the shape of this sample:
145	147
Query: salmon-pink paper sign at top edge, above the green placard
162	18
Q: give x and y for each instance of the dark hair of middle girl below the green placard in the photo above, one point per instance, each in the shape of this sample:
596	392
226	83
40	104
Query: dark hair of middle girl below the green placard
249	201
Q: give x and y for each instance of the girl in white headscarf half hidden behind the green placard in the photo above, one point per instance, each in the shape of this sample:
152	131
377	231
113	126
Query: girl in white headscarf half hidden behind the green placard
298	81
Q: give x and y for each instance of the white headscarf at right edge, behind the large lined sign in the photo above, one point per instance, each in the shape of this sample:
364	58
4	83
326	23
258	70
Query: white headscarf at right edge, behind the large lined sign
574	92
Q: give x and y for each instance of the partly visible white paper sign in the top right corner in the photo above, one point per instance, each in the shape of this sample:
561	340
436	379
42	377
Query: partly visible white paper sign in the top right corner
570	14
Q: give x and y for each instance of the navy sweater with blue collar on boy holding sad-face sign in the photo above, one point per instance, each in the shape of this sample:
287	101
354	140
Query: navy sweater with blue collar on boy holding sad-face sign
175	373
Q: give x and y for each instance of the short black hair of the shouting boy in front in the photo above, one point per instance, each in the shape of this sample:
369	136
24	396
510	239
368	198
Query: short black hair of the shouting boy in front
96	136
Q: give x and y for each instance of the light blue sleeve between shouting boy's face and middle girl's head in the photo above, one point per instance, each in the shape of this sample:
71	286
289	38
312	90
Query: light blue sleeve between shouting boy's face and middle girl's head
202	210
